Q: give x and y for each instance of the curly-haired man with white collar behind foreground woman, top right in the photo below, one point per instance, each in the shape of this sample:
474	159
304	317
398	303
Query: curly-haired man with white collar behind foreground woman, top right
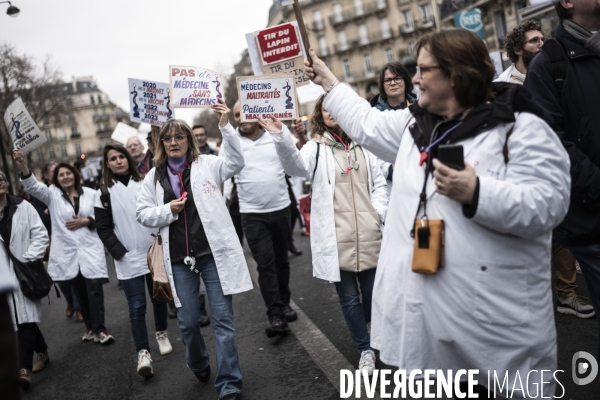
521	45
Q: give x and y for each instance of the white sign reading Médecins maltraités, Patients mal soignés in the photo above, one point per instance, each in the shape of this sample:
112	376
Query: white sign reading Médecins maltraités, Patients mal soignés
265	96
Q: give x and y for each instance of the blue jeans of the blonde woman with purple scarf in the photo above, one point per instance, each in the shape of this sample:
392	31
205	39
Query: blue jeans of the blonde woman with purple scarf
187	283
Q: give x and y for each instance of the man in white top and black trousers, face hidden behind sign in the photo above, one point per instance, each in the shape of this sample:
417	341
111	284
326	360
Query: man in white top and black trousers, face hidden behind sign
265	210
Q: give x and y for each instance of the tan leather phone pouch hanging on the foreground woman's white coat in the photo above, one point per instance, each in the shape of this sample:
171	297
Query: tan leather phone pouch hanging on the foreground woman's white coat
428	254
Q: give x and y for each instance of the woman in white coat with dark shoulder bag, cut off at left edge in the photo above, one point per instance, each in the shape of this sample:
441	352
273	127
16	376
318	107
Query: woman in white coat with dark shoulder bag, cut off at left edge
22	231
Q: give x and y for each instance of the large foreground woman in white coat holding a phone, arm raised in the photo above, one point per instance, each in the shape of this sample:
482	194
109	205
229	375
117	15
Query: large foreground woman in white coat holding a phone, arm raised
490	307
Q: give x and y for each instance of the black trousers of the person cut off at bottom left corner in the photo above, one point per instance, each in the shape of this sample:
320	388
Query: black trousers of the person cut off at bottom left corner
9	371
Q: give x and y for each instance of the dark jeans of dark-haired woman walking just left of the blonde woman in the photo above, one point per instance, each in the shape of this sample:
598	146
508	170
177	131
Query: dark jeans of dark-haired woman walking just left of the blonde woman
135	292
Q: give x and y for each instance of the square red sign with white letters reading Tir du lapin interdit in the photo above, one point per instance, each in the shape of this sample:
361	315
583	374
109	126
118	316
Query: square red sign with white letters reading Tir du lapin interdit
278	43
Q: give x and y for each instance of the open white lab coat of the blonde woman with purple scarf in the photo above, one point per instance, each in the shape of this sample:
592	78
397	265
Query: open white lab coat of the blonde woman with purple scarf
207	174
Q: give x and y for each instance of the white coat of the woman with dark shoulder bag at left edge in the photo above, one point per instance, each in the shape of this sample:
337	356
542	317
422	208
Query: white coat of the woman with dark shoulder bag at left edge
28	242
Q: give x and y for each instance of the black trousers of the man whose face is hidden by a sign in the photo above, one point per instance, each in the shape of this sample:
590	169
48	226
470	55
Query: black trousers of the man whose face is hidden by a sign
268	235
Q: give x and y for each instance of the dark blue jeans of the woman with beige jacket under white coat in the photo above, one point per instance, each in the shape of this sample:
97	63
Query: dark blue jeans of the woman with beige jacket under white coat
357	313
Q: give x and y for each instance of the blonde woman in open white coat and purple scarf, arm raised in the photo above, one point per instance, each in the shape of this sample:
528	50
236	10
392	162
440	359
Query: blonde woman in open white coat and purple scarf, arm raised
182	197
